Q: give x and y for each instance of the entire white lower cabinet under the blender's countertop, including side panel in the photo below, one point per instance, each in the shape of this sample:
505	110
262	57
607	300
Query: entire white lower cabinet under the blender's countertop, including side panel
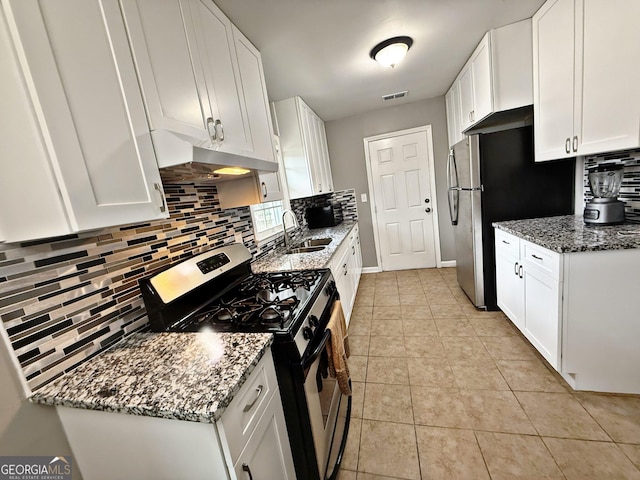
578	309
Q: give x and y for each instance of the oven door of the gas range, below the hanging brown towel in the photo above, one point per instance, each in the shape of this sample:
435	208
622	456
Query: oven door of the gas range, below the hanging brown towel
329	411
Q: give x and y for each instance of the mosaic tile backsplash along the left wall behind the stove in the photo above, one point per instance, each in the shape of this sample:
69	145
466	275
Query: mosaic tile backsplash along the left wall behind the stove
65	299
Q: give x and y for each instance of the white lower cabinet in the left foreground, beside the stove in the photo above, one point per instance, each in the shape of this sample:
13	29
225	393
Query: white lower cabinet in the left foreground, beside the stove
251	432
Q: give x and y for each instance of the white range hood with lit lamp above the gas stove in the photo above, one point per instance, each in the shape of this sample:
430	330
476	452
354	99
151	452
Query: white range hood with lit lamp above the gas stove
181	159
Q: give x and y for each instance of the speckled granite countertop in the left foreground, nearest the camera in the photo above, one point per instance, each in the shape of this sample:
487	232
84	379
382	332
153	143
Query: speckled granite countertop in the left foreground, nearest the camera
184	376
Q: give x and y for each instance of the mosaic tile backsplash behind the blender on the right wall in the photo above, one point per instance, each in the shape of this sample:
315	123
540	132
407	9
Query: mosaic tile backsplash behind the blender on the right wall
630	190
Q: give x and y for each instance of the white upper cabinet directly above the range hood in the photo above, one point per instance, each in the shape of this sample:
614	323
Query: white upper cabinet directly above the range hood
200	77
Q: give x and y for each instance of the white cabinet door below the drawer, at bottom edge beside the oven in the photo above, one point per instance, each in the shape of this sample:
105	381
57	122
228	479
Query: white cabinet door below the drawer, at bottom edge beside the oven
267	455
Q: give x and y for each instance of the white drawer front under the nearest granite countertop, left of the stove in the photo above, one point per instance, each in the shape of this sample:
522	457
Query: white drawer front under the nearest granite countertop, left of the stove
242	415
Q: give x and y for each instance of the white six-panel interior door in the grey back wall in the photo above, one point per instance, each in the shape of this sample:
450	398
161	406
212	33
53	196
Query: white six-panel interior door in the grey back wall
400	168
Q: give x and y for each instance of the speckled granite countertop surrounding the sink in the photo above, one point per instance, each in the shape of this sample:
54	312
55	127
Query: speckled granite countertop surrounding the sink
280	261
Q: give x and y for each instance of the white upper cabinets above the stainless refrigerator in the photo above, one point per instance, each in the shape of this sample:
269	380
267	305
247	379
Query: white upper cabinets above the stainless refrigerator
497	77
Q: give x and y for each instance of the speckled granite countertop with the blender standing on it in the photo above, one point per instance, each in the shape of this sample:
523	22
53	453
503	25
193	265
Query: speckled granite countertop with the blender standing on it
569	233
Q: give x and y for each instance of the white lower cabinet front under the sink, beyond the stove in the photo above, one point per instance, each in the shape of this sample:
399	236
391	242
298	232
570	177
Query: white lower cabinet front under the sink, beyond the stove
346	268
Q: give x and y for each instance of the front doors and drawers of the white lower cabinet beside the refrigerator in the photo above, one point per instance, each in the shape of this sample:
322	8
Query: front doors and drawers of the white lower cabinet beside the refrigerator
528	295
